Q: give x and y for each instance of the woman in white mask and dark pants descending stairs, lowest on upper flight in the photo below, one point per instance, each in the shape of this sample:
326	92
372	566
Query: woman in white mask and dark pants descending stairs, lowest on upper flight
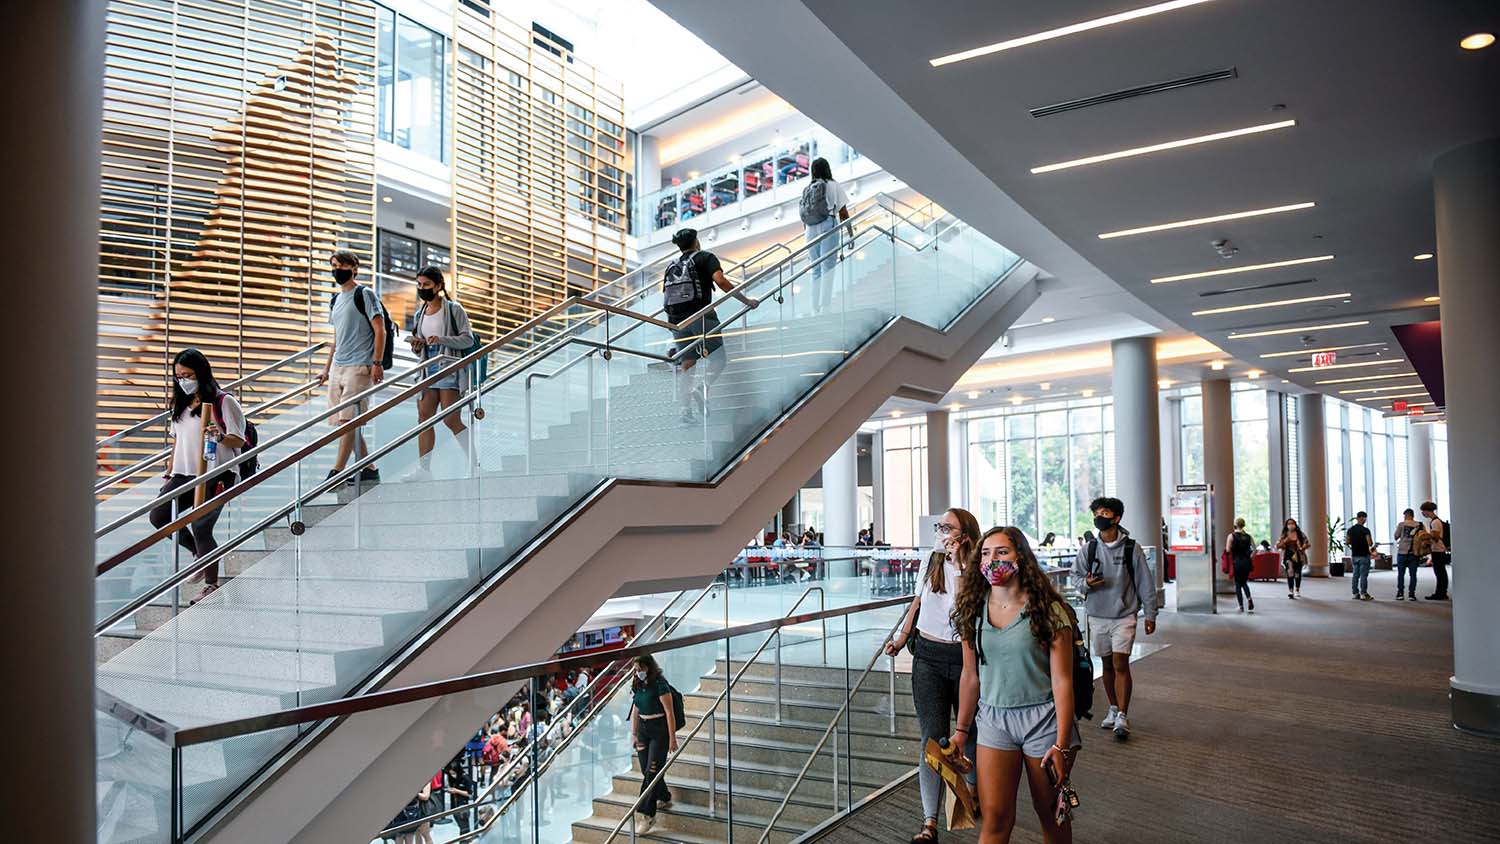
199	449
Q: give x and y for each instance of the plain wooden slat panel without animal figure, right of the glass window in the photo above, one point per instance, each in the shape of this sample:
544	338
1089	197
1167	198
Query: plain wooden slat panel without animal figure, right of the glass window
538	173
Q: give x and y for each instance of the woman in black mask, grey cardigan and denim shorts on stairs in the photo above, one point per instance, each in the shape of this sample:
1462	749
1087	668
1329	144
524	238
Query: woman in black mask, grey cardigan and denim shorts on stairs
440	334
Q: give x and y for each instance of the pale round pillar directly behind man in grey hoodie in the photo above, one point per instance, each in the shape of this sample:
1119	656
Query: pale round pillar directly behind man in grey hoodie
1138	441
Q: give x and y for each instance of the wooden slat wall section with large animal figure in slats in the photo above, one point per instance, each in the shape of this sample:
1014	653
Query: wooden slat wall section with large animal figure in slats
238	155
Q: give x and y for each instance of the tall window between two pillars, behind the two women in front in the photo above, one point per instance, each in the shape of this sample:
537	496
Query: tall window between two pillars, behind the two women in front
1039	468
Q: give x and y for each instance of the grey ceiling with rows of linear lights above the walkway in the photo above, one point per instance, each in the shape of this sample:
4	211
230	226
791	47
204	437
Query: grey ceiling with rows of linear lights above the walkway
1378	91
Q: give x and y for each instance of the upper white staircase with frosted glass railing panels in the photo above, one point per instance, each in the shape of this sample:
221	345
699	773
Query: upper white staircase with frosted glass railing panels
328	584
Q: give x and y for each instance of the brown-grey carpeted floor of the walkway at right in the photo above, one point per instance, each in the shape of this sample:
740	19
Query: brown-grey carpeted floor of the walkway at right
1321	720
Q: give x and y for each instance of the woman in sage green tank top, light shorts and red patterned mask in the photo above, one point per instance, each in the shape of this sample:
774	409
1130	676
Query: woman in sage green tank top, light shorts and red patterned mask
1016	695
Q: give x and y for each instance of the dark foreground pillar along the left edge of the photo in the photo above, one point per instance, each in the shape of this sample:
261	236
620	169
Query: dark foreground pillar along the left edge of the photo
50	229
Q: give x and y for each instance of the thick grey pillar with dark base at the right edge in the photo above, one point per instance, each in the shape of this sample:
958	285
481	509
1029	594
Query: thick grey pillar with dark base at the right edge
1468	203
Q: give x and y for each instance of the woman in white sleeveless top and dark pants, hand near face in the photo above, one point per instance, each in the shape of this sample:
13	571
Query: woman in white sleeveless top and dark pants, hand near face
938	657
